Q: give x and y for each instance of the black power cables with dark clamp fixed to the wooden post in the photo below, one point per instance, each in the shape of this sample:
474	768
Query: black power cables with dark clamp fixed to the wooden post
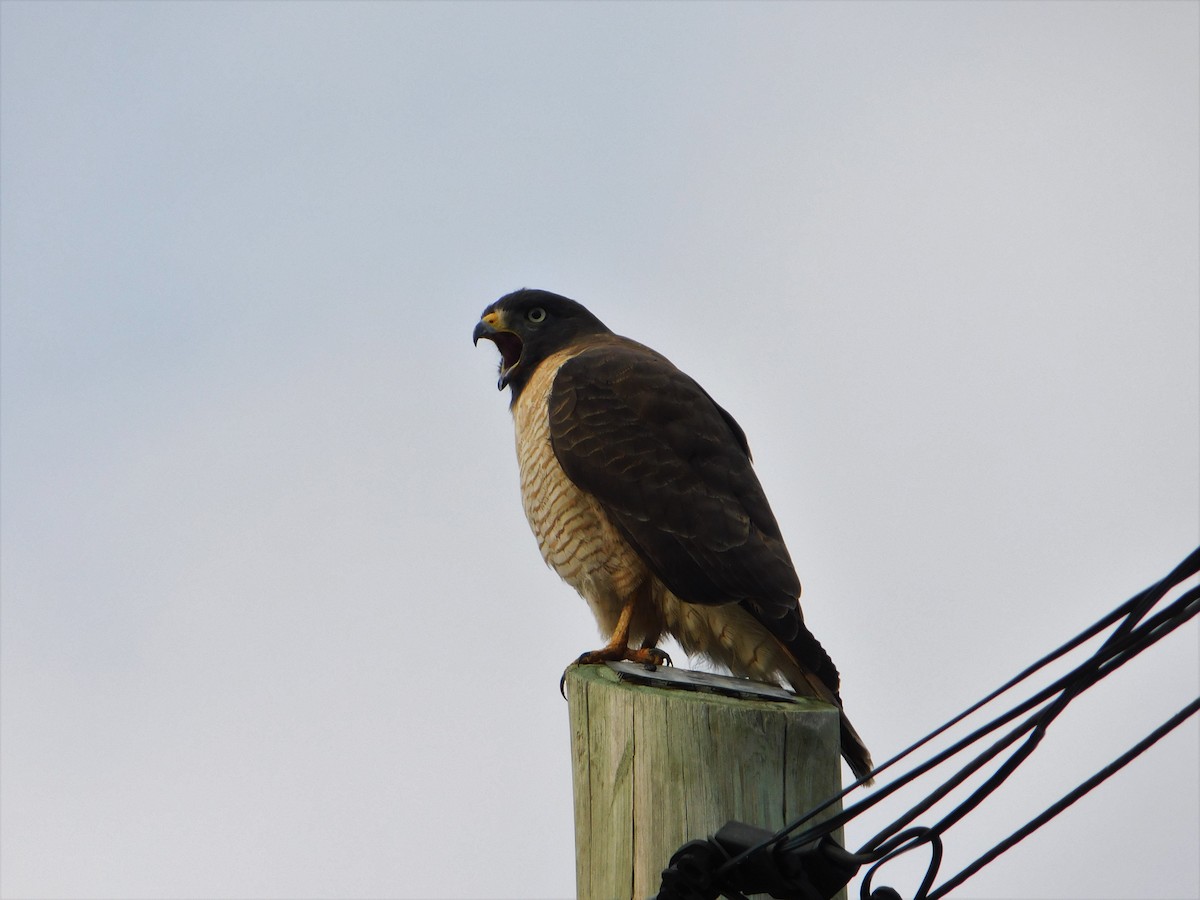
808	863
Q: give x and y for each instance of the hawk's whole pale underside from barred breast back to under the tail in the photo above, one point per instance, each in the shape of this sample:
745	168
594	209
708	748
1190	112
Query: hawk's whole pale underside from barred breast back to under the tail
579	542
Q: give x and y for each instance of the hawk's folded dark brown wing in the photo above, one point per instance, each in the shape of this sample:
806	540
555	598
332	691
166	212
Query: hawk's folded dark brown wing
673	470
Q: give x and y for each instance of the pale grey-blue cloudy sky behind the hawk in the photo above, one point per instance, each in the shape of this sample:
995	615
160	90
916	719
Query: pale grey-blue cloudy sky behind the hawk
273	622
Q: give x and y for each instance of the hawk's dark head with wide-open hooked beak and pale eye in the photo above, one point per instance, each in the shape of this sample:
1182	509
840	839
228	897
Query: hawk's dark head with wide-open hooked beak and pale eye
530	326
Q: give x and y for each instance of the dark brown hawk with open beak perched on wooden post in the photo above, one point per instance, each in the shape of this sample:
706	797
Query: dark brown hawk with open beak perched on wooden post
643	497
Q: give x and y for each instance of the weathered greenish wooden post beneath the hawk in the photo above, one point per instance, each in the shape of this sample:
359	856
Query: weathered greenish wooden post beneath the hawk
659	765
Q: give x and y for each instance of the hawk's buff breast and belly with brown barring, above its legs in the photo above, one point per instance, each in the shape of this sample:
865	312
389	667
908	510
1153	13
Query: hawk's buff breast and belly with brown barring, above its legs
574	535
